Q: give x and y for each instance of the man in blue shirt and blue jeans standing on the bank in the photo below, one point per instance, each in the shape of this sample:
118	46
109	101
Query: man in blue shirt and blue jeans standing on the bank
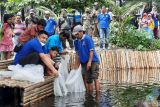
104	21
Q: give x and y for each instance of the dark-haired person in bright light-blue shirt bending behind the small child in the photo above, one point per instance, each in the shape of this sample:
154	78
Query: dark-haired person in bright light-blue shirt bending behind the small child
56	40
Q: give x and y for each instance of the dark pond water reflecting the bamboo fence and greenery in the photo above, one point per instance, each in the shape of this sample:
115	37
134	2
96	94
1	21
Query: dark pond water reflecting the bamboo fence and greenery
120	88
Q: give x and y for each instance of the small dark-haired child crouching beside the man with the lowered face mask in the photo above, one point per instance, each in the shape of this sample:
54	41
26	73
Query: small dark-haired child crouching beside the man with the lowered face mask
54	55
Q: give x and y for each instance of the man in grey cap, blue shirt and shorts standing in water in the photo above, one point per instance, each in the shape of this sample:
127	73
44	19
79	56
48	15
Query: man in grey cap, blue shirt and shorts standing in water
87	57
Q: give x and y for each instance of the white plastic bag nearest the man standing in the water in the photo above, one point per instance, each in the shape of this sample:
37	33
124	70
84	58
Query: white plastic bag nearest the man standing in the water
74	82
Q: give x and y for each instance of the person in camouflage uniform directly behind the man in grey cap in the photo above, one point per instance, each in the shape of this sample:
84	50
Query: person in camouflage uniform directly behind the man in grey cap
87	22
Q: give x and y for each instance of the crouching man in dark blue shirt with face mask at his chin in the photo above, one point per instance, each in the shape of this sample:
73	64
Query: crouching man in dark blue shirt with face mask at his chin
32	53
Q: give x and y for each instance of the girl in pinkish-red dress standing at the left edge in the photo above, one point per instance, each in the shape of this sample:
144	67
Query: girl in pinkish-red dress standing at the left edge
6	45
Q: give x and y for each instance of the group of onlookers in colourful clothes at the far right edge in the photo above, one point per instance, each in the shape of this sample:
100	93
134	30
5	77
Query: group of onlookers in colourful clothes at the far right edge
149	23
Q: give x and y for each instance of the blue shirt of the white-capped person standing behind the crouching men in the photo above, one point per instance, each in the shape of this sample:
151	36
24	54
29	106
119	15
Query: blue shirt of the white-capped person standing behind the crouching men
50	27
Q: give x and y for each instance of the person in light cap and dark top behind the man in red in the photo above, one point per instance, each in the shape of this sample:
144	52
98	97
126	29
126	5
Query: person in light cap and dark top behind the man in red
31	19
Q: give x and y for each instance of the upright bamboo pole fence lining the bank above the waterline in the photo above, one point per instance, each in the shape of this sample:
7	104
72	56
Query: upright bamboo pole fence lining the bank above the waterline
126	59
